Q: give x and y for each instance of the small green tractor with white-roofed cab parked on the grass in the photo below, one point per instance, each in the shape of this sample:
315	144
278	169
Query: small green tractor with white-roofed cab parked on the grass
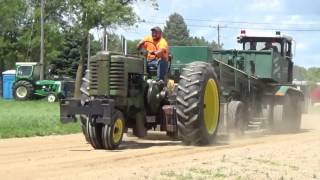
29	86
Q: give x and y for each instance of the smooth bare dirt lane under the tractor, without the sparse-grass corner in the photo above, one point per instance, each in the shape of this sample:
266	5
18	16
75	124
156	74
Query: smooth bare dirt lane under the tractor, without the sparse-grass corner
69	157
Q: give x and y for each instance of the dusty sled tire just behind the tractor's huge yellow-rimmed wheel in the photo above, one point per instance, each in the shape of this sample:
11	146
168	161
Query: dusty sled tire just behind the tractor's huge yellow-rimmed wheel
236	117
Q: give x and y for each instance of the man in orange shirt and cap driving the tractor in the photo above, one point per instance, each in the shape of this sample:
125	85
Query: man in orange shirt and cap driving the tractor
158	52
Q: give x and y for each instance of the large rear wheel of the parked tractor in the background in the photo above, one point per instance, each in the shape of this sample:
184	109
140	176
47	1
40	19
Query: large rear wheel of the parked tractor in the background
23	90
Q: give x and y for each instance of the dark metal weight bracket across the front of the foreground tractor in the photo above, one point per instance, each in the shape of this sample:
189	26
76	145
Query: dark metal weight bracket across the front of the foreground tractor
100	109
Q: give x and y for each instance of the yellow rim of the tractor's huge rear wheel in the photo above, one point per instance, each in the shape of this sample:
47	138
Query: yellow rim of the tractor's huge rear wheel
211	106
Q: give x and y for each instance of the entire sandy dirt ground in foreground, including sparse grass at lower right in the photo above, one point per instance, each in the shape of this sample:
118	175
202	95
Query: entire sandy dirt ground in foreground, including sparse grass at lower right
255	156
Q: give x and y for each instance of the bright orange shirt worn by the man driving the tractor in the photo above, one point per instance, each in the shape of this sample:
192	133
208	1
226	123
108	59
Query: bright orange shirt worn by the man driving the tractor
151	45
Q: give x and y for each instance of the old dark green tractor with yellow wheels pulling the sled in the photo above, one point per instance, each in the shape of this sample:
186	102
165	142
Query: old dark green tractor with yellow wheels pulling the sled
119	92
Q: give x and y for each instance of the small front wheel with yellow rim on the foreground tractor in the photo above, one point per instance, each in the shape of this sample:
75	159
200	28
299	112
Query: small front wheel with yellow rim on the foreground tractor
112	134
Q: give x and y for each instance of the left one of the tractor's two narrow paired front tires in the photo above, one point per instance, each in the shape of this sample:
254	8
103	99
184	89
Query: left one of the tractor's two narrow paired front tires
94	133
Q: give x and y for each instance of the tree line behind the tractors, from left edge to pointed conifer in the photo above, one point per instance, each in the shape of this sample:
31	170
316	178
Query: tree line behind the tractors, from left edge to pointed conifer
67	26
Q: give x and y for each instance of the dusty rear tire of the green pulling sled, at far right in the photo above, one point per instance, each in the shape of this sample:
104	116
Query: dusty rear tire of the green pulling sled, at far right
287	116
